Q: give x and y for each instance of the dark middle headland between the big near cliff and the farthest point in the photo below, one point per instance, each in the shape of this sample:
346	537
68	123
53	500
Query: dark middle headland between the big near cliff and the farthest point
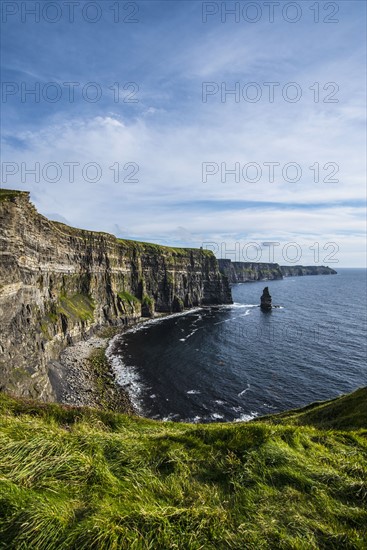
243	272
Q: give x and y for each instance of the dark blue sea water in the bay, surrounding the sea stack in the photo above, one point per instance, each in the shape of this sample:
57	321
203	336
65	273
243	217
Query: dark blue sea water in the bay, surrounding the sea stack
235	362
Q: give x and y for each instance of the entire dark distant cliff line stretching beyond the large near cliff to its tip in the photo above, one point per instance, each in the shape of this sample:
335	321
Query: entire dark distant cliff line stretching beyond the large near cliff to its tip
244	272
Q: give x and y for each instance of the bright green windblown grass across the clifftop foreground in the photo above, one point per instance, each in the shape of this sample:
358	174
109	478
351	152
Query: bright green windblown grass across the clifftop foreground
73	478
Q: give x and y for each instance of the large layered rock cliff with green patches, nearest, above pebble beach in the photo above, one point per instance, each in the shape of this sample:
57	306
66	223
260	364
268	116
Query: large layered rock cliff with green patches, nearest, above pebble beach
58	284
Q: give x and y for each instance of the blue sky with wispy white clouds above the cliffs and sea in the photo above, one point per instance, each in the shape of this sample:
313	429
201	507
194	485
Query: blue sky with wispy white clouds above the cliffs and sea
236	126
